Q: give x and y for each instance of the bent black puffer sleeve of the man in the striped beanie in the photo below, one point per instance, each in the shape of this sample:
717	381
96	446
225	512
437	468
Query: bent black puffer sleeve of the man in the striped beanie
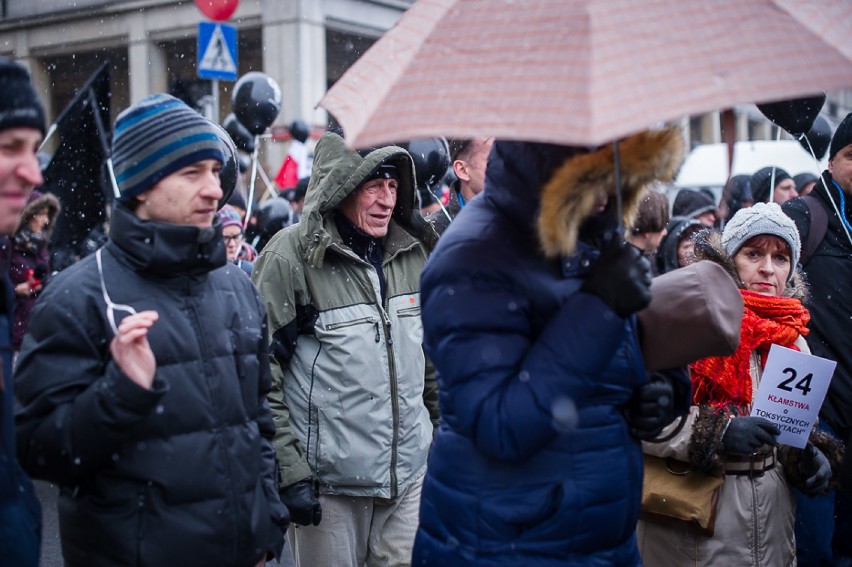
76	405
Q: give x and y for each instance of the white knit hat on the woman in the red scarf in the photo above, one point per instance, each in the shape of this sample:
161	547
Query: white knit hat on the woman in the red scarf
762	218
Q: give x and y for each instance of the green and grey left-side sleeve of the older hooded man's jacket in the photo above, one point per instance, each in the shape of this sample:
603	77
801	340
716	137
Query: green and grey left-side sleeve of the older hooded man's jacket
274	280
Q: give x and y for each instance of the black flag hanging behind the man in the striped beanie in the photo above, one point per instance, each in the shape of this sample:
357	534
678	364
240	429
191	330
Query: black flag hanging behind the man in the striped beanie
77	173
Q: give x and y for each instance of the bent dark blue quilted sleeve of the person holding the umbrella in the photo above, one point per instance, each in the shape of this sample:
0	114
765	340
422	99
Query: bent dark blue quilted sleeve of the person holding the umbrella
498	379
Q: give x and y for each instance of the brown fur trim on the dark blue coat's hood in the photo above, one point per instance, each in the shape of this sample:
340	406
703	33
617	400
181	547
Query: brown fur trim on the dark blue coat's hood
572	193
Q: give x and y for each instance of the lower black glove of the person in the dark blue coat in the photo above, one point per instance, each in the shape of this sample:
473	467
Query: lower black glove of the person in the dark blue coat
651	407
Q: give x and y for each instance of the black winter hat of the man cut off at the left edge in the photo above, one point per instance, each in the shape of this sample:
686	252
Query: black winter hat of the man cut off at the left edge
20	106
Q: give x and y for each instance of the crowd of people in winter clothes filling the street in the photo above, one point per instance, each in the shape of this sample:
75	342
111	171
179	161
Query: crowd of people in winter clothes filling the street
382	385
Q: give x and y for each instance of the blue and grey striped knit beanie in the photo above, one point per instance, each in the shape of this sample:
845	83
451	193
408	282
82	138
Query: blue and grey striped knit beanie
154	138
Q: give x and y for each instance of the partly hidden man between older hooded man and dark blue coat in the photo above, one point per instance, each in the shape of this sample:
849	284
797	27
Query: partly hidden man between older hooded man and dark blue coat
469	158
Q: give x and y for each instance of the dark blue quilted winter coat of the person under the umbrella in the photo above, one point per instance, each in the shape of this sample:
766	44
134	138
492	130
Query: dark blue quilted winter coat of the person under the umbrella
533	463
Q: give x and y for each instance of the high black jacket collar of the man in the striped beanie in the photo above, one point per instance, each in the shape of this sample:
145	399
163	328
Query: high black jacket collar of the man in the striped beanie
164	249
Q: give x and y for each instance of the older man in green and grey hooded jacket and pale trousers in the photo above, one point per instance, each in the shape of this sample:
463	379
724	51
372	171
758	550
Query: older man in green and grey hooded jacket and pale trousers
354	401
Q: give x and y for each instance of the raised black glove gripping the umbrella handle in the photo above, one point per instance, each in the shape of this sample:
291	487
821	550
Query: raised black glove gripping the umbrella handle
621	276
